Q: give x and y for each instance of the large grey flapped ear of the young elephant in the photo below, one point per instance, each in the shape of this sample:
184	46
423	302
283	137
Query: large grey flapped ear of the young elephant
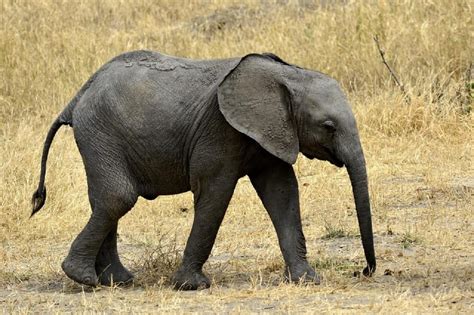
255	100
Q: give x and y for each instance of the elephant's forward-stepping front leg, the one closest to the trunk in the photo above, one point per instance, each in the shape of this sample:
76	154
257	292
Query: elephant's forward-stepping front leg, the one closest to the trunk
277	187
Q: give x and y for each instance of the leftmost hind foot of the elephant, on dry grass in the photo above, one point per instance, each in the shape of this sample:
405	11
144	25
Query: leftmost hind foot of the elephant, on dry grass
80	271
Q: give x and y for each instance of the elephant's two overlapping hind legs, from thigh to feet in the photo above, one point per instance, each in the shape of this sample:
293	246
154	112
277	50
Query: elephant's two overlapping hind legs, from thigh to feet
93	256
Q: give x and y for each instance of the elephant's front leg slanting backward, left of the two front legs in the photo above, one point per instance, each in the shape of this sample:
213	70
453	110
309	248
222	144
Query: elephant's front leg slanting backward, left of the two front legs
210	203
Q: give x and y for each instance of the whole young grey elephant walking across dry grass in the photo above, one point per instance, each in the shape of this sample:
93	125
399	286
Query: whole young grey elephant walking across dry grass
147	124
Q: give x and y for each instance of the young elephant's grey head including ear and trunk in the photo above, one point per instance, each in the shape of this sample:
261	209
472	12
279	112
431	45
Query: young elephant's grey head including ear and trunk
287	110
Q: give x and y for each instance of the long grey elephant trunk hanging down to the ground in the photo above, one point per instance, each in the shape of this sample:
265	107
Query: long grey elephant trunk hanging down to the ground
356	168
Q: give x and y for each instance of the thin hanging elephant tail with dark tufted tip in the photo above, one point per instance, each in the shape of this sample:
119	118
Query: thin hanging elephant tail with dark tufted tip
39	196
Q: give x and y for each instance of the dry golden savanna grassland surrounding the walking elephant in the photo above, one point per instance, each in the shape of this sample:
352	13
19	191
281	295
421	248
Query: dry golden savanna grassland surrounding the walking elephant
418	144
